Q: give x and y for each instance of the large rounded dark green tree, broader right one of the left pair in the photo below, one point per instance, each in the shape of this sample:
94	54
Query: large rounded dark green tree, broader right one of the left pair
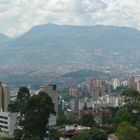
36	116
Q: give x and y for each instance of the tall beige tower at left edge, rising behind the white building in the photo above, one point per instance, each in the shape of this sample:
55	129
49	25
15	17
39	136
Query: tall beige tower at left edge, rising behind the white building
4	97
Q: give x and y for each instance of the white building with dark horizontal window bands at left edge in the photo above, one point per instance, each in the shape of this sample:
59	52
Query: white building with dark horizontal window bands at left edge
7	123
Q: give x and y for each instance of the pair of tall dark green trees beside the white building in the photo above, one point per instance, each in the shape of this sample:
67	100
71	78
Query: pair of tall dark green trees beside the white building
34	112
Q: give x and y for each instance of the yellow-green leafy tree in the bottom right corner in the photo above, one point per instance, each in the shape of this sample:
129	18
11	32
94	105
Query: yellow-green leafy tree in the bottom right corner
126	131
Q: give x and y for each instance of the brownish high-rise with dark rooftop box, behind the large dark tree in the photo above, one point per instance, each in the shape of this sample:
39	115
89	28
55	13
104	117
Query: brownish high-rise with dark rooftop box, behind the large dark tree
51	90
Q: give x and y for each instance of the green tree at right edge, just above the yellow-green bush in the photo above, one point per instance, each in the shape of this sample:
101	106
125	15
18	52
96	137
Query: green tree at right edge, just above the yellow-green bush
131	110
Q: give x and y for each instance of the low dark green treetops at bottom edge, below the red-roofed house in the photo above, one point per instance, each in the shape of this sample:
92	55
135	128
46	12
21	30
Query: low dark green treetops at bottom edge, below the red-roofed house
92	134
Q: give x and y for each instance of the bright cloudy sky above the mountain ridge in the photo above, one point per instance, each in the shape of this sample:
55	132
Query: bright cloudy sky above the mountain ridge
18	16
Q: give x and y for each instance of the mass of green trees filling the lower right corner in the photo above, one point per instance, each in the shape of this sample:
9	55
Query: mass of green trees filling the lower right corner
125	122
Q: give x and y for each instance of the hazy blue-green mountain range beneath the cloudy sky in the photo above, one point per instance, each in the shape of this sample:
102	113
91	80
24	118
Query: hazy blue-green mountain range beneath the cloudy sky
51	44
